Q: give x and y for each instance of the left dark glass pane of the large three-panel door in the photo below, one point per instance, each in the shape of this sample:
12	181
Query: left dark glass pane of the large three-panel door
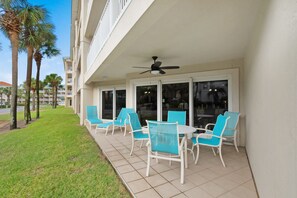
146	103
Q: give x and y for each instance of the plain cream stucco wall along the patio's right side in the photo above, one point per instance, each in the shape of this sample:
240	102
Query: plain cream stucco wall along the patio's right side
270	95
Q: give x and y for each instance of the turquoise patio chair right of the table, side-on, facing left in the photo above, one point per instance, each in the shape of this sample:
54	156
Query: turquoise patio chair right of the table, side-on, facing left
213	139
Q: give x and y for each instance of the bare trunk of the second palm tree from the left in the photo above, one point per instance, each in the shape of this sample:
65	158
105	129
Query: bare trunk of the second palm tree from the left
28	84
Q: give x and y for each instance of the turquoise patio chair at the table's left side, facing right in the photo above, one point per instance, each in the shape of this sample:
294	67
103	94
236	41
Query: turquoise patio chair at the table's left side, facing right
137	130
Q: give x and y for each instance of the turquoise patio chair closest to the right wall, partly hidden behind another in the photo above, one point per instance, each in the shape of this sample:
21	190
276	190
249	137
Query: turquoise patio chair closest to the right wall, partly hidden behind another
231	128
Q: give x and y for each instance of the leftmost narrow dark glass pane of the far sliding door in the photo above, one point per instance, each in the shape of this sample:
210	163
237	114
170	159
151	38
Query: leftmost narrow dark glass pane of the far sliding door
107	104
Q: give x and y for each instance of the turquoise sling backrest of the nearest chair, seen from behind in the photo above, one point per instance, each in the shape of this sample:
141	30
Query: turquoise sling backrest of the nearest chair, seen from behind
163	137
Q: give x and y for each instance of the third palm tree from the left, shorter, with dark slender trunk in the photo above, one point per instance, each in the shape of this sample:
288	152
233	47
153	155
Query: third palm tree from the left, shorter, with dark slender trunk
45	47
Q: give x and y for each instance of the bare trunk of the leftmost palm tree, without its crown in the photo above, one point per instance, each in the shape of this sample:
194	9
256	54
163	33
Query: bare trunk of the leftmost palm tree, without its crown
14	39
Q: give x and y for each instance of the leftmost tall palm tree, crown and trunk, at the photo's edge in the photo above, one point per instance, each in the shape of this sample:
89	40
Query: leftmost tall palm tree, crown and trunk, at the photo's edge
10	24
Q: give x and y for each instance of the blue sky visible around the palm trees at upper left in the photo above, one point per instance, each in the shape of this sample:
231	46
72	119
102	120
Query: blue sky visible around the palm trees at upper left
60	16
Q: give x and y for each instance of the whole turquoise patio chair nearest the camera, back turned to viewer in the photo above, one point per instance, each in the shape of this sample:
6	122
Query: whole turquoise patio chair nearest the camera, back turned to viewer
164	144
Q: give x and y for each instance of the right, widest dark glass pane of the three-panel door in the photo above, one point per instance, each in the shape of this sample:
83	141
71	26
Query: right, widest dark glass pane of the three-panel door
210	100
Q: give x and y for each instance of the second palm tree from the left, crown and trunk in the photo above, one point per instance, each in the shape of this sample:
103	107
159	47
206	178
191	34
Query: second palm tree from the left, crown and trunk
32	17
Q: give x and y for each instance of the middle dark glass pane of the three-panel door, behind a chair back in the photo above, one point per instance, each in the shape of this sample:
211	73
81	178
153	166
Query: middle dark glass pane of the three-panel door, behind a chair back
175	97
